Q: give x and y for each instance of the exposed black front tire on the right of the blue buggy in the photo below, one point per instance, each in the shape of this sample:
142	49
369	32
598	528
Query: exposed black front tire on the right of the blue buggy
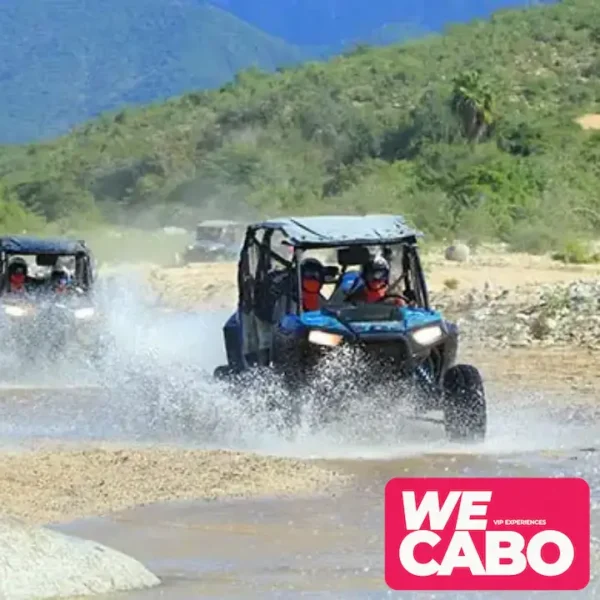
464	403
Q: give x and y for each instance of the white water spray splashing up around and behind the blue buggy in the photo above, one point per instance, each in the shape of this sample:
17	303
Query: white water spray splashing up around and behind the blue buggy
154	383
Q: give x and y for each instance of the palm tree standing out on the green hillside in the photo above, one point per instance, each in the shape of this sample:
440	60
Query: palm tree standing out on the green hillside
473	103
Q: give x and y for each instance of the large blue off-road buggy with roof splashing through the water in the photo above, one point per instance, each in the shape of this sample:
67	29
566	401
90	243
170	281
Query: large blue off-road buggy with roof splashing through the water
410	344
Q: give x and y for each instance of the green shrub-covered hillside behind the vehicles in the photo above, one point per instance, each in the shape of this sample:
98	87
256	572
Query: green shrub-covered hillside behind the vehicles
469	134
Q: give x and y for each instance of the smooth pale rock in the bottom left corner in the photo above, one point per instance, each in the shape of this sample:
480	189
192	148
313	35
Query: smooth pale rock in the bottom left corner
36	562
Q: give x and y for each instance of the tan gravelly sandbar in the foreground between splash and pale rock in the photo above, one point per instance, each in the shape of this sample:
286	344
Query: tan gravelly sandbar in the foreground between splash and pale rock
61	483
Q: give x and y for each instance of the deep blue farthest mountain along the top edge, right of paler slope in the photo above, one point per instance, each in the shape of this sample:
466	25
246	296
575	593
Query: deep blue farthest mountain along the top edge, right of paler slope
337	23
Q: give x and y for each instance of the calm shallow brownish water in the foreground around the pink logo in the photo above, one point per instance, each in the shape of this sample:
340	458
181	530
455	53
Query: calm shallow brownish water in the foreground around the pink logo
297	548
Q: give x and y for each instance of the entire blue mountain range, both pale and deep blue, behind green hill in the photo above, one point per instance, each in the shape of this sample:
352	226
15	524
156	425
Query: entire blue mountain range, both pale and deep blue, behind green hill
64	61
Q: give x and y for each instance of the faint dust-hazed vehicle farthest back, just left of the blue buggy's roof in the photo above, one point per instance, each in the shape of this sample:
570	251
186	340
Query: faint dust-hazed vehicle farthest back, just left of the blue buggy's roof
215	241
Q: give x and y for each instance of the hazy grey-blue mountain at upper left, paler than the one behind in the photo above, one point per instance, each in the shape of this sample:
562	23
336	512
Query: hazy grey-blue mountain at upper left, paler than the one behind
63	61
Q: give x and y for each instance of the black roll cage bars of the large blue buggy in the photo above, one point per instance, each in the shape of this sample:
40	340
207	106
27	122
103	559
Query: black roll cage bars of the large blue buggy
253	271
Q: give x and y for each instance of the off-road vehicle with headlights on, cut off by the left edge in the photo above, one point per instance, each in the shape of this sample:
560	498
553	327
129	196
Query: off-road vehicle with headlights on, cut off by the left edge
46	298
